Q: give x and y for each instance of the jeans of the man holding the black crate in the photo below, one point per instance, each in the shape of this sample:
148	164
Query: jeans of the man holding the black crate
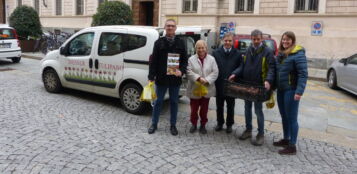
258	108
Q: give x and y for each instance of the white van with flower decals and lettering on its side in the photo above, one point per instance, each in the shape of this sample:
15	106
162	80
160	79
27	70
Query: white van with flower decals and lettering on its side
107	60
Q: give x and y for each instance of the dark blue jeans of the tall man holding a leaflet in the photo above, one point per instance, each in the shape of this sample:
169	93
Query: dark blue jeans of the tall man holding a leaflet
174	97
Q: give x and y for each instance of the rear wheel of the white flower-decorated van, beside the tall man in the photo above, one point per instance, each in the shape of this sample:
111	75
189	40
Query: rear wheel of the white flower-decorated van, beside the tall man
130	99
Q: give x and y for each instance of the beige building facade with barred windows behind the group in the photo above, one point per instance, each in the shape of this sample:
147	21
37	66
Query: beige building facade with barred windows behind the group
326	28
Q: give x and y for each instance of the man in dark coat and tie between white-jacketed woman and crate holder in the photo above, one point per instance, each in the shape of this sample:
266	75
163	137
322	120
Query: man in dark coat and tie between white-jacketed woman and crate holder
228	59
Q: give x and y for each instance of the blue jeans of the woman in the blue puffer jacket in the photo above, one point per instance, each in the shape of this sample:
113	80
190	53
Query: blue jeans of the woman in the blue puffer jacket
288	108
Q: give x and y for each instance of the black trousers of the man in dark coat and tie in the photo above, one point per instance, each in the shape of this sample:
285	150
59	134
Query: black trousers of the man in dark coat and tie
220	110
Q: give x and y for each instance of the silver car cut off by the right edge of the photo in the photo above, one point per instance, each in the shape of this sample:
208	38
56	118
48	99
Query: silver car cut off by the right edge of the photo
343	74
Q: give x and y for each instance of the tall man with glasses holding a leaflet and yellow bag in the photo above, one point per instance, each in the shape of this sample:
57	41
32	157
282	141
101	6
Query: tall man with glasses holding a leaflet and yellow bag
168	64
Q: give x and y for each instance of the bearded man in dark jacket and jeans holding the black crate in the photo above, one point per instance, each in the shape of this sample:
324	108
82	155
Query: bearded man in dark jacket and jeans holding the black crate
258	67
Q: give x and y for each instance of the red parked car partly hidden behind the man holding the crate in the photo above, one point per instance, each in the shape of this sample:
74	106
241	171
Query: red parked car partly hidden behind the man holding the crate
242	42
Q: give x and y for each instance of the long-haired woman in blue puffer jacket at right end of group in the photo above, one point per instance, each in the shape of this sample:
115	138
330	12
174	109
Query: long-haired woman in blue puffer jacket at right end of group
291	82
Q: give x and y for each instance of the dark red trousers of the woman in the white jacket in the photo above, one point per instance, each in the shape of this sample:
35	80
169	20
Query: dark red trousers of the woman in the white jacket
202	105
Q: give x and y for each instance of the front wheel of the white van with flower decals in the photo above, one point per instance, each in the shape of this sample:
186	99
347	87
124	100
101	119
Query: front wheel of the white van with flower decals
51	81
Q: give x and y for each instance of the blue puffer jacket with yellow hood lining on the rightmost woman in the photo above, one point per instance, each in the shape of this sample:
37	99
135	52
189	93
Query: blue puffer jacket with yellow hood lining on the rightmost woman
292	70
